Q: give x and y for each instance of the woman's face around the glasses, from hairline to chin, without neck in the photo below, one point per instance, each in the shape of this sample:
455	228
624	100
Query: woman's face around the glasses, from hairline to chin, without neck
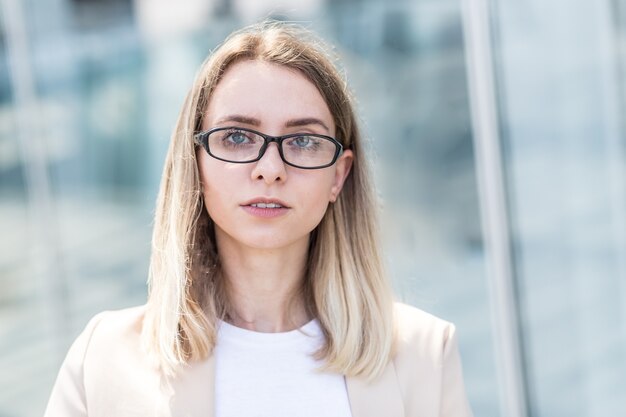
276	101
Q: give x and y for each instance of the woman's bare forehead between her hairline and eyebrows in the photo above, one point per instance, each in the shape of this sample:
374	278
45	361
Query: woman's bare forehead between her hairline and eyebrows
271	93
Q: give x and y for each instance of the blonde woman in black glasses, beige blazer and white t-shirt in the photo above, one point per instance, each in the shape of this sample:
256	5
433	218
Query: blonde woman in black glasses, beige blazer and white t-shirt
267	294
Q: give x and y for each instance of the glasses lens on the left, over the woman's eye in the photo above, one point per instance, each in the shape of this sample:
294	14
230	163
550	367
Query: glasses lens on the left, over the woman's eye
235	145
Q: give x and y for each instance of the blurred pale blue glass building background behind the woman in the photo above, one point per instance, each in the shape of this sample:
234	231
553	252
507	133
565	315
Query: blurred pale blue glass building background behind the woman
498	133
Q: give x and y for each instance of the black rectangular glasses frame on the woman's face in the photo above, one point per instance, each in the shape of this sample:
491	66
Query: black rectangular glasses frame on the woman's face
202	139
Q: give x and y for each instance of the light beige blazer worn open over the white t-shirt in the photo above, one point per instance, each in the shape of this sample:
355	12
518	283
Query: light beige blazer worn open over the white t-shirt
105	374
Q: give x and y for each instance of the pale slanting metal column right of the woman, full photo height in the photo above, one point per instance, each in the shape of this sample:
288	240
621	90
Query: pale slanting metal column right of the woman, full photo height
477	26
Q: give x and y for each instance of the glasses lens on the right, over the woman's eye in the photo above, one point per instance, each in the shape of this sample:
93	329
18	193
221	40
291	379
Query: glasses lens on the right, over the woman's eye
309	151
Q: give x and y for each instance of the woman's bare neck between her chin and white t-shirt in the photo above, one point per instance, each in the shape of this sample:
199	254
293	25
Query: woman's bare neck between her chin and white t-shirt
264	286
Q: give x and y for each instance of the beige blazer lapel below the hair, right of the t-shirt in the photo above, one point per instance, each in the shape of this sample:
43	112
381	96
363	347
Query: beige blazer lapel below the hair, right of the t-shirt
380	397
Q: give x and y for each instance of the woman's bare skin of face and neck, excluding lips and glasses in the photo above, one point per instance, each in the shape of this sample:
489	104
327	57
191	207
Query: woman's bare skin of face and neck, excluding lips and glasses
264	259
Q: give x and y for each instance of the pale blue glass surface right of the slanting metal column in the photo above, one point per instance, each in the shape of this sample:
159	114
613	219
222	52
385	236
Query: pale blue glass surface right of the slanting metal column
561	70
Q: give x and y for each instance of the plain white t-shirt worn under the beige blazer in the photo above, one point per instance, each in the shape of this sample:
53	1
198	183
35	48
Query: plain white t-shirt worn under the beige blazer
274	375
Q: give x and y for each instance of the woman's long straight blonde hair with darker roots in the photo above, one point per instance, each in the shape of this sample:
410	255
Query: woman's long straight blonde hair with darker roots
345	286
